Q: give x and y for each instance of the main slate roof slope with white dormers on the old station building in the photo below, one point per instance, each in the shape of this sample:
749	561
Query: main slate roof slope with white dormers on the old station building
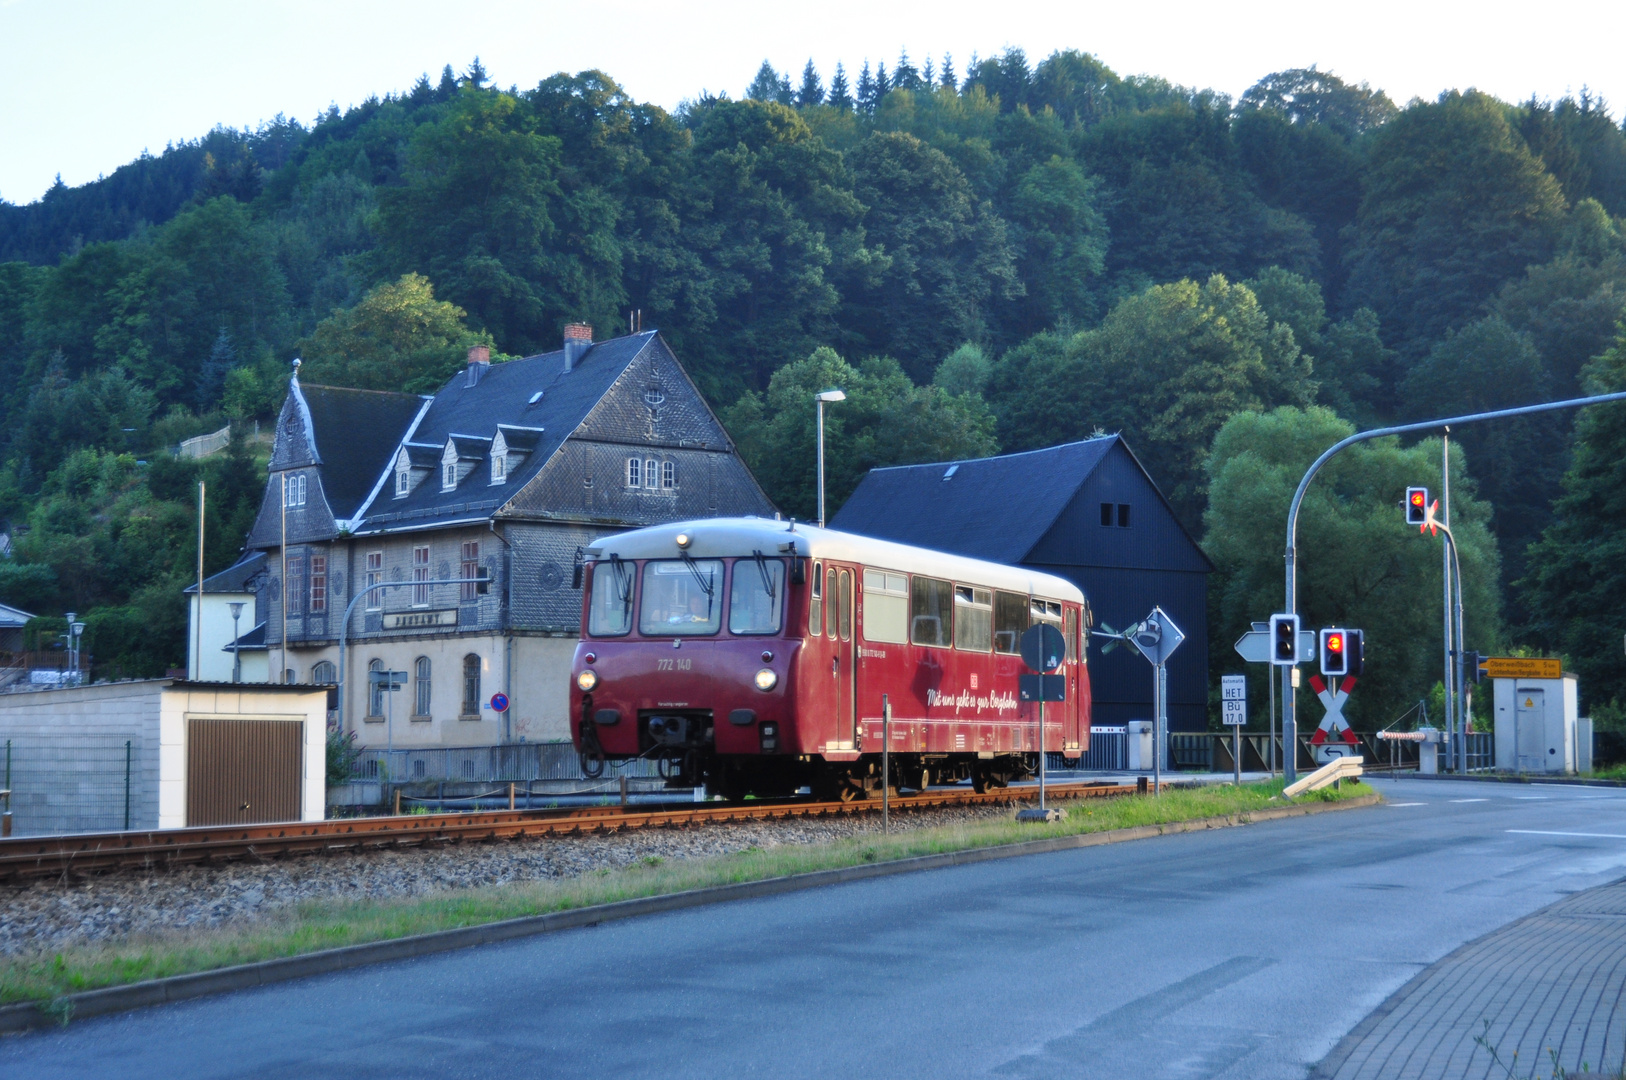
506	394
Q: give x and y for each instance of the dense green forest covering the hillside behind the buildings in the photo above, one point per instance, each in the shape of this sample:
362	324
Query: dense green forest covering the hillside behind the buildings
988	258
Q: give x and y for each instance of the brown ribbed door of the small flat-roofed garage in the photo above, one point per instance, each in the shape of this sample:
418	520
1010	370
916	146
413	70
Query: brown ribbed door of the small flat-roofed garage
243	772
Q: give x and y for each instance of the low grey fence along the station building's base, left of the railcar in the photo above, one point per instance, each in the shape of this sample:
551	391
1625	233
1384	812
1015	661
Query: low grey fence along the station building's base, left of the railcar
520	764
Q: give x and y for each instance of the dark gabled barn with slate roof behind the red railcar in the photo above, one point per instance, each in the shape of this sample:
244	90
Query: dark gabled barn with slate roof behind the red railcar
1085	512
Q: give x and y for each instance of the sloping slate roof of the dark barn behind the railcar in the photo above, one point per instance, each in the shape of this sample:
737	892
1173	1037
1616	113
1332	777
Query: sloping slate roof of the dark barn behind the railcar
991	508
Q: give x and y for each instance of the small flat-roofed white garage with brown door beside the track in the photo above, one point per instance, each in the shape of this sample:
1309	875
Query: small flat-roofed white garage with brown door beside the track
163	754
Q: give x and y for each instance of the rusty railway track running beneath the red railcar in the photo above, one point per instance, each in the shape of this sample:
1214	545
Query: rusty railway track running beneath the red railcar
76	855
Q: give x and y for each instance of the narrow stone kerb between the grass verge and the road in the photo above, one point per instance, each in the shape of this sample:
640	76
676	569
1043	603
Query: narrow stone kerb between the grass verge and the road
27	1016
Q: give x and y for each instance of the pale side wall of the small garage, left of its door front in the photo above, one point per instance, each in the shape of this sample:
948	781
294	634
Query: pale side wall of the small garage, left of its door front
77	785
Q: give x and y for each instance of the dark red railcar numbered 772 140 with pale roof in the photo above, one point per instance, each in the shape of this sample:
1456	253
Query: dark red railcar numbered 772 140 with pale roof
755	656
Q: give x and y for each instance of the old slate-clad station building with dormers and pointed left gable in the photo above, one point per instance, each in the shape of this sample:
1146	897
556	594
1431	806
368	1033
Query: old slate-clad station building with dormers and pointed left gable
508	472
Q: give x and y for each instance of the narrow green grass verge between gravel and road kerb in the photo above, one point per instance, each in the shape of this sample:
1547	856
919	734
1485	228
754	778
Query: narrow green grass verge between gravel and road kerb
323	925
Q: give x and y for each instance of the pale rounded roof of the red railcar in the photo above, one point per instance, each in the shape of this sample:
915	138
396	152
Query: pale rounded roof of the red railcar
729	538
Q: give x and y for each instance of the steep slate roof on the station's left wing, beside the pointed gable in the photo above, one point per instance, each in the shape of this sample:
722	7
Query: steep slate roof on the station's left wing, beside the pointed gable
357	437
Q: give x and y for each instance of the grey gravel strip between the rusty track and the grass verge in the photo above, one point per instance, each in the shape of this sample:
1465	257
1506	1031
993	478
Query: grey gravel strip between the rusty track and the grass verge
53	913
